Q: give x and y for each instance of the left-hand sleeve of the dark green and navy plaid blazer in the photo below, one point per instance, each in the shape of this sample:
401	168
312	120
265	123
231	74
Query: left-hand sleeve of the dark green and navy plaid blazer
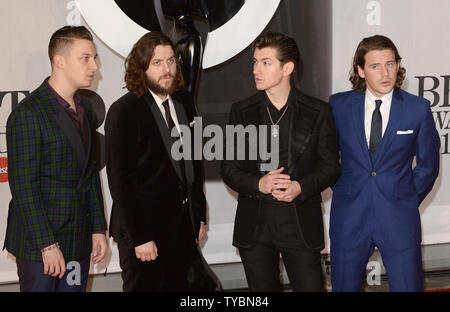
24	143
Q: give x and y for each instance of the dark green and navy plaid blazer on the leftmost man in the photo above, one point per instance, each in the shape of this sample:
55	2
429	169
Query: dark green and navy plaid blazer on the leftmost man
54	182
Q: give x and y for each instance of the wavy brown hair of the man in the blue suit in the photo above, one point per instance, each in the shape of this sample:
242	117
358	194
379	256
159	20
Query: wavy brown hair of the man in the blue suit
376	42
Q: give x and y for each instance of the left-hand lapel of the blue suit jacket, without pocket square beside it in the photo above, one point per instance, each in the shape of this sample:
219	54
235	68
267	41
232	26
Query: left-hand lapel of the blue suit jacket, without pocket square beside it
357	107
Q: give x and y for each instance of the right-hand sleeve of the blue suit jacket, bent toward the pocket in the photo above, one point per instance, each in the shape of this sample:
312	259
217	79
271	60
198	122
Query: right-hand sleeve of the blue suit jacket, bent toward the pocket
427	155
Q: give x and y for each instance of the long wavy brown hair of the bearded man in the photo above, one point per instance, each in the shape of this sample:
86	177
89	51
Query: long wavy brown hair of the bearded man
137	62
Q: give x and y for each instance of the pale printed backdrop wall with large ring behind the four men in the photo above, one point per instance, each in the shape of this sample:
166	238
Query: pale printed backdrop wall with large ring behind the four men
327	33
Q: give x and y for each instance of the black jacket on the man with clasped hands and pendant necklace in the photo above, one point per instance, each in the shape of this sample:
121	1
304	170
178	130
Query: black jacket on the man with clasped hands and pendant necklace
313	161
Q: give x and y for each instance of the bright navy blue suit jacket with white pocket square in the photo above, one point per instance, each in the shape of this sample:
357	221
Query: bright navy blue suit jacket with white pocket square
384	191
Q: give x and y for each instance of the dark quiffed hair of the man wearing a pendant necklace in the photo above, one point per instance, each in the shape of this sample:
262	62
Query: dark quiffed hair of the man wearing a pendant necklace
287	49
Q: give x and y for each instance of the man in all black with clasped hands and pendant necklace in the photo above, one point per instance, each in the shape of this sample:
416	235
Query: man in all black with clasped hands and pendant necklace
280	211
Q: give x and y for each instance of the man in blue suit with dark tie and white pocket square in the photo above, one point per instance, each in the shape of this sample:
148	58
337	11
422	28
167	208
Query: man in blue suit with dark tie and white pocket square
375	201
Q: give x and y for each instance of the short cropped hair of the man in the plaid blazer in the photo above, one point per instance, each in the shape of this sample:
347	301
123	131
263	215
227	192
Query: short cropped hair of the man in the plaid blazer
65	36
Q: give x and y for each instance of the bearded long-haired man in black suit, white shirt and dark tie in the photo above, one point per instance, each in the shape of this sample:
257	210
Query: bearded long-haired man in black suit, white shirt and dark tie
159	209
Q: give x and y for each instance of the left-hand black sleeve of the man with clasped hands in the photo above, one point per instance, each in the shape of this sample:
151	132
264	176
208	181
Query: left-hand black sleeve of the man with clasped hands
233	170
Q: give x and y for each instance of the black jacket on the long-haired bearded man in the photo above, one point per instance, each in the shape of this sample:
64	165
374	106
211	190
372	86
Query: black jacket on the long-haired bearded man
145	182
